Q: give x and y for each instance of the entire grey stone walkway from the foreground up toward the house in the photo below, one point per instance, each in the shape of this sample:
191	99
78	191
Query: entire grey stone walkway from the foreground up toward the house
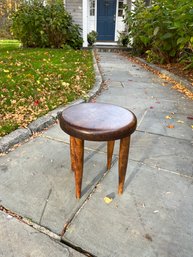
39	214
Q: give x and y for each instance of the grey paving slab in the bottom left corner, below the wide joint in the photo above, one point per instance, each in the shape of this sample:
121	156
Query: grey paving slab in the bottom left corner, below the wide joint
20	240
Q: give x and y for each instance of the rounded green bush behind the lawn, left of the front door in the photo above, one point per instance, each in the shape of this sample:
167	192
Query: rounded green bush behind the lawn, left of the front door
39	25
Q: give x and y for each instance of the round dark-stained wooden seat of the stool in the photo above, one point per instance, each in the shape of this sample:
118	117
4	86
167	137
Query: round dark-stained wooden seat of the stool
98	121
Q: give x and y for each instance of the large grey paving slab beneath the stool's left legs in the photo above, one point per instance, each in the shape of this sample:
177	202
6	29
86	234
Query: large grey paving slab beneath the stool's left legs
37	183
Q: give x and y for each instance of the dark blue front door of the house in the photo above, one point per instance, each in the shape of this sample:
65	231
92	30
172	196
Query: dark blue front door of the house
106	13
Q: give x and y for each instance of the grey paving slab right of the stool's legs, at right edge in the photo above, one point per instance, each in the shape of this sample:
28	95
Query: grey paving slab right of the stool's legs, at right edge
162	152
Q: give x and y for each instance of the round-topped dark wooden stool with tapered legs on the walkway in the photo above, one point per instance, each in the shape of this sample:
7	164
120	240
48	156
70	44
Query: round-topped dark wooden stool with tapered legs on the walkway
98	122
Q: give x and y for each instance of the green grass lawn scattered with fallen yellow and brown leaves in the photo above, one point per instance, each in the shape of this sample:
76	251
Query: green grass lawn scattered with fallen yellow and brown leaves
35	81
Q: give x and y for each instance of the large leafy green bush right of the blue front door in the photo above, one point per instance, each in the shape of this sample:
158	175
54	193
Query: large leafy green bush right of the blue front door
163	30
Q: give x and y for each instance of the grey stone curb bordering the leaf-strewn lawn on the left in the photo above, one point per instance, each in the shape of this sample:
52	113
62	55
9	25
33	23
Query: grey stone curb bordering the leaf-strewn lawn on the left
21	134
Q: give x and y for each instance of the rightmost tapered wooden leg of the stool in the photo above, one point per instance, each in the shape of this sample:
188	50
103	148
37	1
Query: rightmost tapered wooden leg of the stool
123	159
